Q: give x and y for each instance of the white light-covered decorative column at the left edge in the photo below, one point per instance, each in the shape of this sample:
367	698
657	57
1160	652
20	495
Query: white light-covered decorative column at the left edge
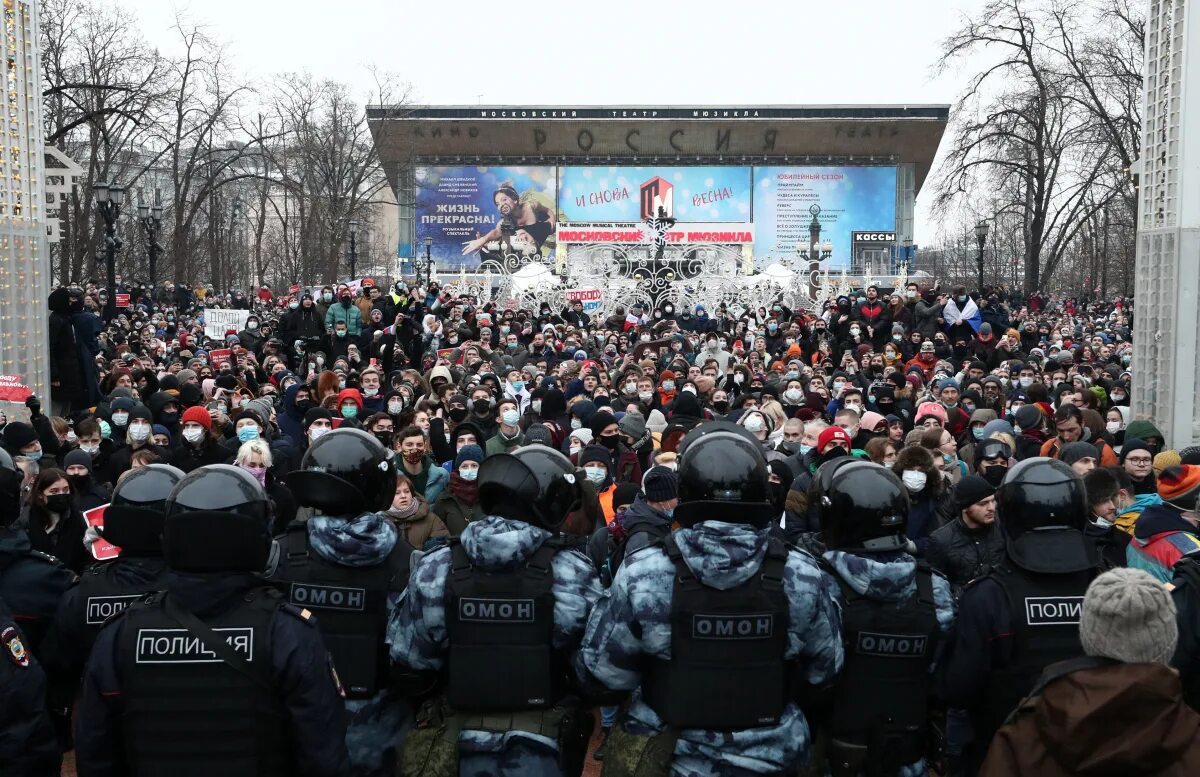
25	258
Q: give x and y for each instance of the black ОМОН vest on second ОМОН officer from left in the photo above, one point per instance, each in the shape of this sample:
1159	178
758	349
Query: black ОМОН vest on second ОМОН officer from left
501	628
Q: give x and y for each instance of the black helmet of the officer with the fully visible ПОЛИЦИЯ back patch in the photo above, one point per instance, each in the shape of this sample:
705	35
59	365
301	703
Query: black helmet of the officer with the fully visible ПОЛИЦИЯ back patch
219	520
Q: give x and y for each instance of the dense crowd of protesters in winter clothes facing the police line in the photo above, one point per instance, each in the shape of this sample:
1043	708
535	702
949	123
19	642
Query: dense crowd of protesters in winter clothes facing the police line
949	389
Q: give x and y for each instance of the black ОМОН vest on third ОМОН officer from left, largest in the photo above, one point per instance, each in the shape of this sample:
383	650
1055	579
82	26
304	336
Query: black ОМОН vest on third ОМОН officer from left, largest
728	670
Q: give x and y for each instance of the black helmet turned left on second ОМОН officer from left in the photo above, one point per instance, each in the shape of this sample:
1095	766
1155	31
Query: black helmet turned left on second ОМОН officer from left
535	484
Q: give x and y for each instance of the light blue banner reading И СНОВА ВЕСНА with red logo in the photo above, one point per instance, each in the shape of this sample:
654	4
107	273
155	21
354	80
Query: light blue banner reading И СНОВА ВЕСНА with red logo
635	194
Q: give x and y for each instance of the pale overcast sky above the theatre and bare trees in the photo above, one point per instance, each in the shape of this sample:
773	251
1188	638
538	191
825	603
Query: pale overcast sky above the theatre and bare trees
619	52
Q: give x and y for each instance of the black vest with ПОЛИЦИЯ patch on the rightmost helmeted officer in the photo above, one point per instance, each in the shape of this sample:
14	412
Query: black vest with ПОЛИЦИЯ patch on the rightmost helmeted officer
1046	611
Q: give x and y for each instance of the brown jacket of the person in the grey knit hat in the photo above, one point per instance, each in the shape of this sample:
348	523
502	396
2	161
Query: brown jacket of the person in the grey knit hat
1069	730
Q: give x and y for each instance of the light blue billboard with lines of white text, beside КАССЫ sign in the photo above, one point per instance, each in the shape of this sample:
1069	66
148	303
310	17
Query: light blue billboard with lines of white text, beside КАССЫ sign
851	198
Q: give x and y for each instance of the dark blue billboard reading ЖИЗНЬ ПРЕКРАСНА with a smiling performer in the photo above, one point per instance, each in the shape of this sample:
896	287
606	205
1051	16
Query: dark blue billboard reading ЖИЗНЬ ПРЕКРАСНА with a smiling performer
475	213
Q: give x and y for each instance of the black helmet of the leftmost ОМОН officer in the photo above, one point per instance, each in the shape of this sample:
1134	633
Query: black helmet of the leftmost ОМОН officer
345	473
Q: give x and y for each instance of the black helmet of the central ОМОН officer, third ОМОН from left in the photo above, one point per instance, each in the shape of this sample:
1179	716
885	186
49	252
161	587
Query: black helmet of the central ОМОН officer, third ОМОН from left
723	477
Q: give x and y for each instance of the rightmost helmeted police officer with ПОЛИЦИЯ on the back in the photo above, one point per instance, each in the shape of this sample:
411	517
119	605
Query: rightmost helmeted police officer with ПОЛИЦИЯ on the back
1024	616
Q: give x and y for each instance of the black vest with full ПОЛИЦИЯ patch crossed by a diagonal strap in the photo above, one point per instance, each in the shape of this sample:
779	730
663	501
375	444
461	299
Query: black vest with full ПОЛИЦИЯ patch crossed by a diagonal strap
188	713
